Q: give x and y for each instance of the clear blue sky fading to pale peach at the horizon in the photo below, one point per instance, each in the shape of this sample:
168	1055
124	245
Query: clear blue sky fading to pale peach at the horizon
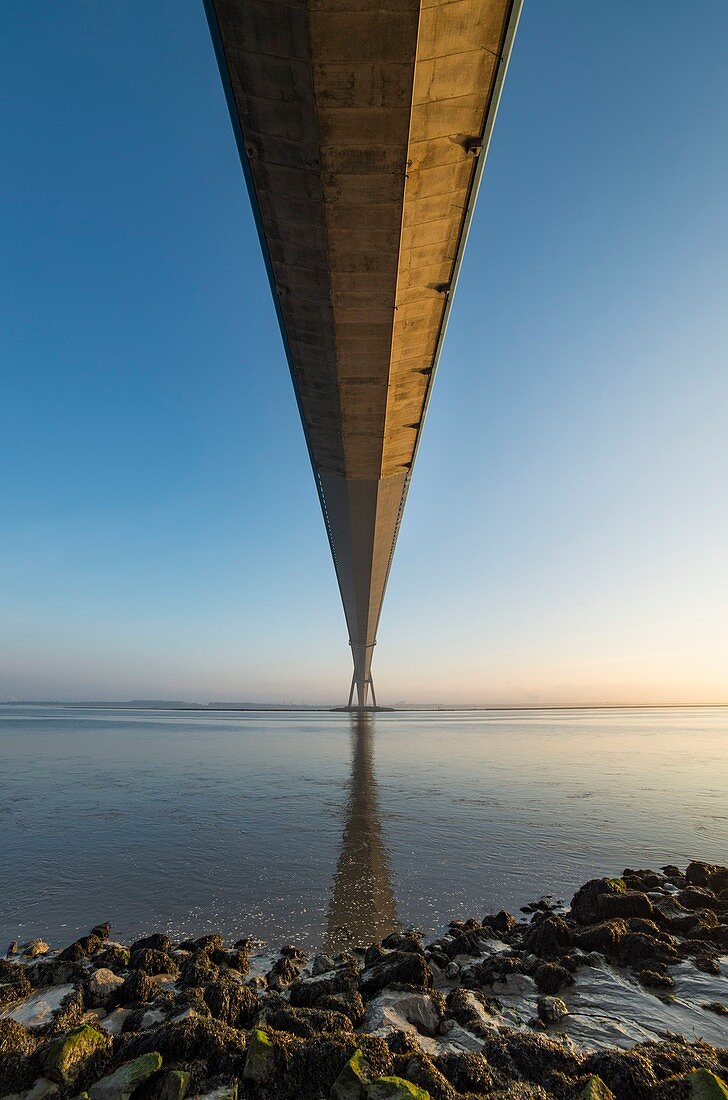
566	535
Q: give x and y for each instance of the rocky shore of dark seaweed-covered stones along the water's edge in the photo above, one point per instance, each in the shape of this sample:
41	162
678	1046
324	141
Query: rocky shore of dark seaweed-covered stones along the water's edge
623	994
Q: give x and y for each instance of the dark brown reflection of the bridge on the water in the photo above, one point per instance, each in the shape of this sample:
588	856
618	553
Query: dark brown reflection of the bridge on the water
362	908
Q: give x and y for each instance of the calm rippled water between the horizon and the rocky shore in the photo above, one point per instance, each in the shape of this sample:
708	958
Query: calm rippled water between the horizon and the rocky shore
317	828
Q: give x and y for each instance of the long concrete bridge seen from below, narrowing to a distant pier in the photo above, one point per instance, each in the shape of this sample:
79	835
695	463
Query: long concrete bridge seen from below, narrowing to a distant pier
363	128
